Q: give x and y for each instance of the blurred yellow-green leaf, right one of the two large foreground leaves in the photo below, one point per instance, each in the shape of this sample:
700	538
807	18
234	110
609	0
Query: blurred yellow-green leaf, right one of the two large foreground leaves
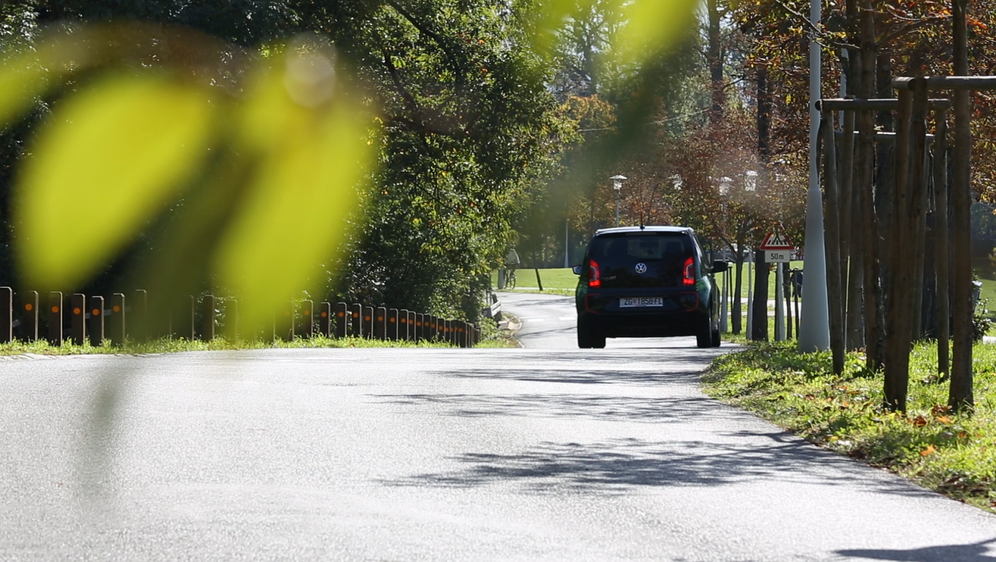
295	212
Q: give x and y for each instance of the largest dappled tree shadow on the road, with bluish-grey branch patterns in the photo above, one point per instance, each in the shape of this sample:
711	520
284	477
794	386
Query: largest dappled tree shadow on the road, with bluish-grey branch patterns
617	466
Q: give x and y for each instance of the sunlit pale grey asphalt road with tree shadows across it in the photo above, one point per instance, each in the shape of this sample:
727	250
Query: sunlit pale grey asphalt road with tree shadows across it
419	454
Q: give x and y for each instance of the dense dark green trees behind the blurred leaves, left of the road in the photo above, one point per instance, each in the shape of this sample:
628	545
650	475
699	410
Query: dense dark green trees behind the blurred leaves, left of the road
465	129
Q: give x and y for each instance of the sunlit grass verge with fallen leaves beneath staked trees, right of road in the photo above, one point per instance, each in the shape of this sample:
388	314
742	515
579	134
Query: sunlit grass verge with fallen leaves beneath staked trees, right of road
952	454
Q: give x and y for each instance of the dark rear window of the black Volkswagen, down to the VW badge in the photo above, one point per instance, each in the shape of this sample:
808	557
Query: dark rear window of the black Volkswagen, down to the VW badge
662	255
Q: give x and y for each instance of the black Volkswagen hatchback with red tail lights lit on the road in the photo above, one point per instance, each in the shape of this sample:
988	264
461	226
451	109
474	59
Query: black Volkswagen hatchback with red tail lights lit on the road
648	281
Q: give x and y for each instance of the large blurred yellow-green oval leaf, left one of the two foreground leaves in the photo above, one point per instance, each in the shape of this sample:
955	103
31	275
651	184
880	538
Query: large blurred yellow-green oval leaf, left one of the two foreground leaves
109	158
